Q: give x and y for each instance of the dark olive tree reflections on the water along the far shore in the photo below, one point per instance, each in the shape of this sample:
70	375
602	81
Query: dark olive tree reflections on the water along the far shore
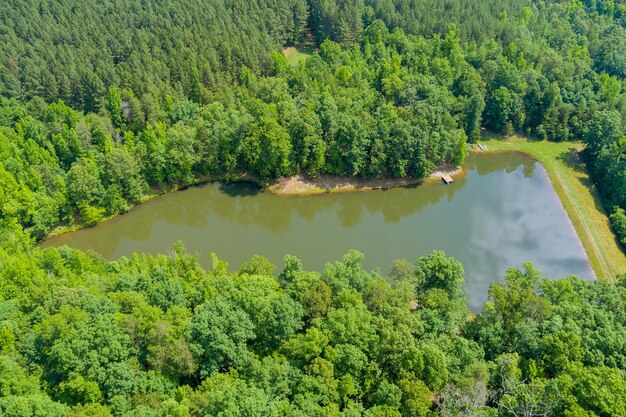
200	207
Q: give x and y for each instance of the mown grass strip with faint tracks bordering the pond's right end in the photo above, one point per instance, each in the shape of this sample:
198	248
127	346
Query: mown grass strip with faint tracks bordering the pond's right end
579	198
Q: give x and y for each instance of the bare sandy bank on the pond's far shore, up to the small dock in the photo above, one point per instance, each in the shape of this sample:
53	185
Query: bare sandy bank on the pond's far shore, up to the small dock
301	185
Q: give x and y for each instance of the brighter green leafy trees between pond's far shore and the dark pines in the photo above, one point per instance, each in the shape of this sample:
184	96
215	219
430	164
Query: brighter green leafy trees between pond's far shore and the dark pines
344	112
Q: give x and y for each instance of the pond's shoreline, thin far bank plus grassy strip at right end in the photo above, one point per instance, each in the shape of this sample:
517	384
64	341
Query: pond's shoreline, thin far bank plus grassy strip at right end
567	175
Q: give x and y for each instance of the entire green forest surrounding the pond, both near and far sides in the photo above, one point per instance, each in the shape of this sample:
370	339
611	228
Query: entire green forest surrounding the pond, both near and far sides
103	103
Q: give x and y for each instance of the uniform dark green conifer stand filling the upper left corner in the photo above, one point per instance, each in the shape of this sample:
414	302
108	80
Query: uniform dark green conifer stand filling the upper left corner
183	49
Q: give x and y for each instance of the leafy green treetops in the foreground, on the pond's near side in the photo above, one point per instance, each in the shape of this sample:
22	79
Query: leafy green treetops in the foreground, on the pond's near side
161	336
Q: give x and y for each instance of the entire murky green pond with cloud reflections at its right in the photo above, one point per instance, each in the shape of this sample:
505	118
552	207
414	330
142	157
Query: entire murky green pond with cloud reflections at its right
501	213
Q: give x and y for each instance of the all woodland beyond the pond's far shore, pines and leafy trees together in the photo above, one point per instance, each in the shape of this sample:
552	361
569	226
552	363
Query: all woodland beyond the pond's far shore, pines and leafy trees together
394	90
